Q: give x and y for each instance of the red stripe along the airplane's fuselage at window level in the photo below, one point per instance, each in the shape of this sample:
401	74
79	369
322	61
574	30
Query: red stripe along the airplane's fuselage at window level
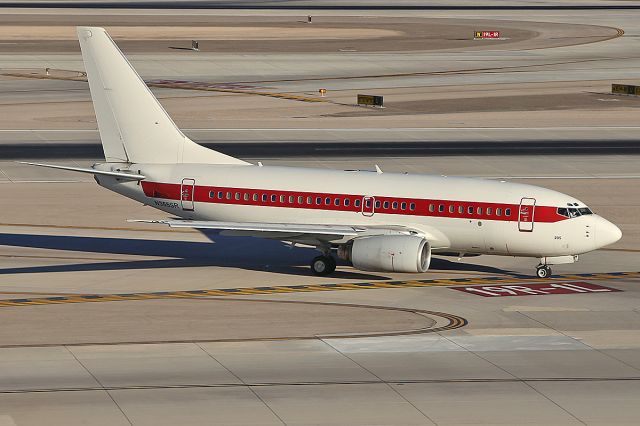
172	191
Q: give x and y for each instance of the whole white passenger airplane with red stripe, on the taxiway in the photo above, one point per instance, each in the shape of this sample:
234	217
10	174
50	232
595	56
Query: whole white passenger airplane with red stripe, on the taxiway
377	221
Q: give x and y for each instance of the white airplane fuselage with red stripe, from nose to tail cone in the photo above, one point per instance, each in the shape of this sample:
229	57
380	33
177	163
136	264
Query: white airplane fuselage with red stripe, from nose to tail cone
461	215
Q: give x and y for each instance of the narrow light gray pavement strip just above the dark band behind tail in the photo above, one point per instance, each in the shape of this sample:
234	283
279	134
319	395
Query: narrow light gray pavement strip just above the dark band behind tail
50	139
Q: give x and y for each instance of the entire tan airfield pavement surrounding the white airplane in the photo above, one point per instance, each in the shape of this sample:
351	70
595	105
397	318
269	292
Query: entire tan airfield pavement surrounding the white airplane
103	321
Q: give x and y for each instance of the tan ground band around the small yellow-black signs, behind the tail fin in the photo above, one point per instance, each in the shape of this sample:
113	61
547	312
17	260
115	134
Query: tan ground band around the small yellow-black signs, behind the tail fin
419	107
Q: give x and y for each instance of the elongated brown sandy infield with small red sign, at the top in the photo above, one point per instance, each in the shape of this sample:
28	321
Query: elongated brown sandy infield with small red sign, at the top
326	34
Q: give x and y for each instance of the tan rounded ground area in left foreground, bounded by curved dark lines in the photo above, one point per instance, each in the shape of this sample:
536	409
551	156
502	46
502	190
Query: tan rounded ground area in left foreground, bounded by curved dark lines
173	320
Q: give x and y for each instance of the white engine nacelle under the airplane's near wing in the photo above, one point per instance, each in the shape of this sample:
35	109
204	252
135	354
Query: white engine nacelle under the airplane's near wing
394	253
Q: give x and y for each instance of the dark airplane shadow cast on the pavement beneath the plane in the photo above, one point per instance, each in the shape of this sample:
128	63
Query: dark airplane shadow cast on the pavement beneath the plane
236	252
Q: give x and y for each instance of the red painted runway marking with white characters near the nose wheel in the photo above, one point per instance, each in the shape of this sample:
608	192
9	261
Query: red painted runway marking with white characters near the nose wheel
534	289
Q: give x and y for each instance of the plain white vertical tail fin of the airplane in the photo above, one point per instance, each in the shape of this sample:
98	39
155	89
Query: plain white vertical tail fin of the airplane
133	125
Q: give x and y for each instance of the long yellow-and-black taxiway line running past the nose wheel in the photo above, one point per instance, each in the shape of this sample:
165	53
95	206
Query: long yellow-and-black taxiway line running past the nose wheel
251	291
